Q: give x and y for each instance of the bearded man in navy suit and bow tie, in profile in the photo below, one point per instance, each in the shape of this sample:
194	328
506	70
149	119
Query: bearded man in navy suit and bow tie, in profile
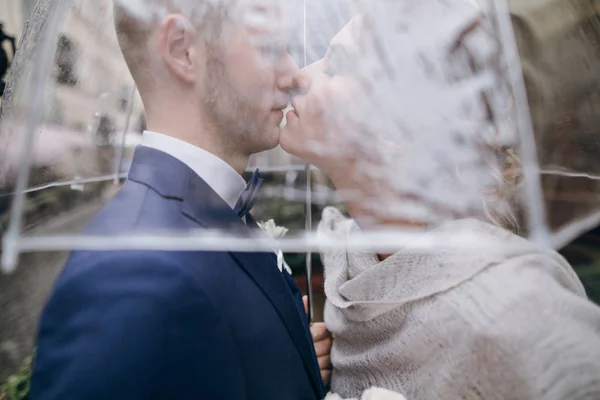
185	325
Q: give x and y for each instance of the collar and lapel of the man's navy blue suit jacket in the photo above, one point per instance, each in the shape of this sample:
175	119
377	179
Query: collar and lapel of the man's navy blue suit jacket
173	179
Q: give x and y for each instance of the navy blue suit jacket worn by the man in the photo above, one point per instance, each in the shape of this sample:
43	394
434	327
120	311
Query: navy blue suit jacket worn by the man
172	325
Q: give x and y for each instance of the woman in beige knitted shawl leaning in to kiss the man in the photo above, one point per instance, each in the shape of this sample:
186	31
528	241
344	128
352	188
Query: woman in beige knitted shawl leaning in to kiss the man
406	118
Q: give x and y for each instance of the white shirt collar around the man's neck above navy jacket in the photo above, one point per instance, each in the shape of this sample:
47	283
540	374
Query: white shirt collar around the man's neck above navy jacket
219	175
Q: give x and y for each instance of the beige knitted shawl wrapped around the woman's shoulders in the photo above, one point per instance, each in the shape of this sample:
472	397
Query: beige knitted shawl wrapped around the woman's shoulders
507	324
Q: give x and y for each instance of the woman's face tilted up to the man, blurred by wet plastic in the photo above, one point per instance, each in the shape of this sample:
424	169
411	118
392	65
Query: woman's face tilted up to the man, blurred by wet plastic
320	129
